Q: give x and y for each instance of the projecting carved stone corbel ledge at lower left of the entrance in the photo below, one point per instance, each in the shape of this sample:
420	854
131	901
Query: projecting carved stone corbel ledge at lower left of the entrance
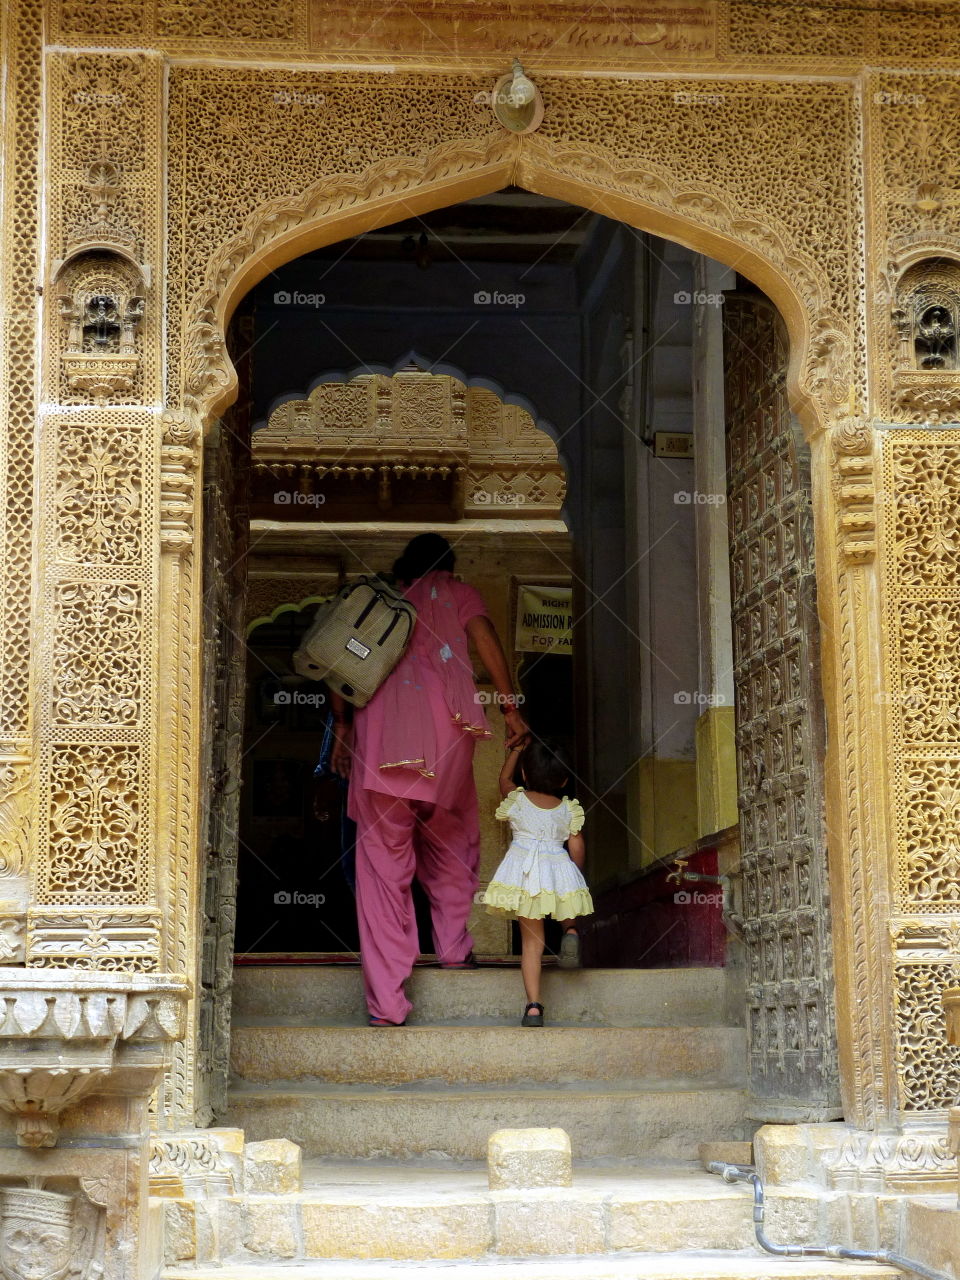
68	1035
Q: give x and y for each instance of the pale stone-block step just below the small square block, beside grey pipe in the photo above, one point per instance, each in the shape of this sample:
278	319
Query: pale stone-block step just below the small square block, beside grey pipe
355	1212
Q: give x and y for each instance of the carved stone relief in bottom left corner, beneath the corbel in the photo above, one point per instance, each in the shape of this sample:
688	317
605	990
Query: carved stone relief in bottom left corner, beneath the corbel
36	1235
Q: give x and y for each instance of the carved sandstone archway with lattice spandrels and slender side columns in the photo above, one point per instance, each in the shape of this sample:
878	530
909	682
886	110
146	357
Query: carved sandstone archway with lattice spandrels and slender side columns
244	195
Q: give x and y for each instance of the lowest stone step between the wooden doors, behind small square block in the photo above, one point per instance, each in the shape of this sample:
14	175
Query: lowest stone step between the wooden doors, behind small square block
409	1122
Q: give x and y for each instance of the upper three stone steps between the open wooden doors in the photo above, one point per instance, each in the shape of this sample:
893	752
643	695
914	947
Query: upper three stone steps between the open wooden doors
634	1064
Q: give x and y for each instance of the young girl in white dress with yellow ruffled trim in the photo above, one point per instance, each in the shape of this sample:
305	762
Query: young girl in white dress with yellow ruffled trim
538	877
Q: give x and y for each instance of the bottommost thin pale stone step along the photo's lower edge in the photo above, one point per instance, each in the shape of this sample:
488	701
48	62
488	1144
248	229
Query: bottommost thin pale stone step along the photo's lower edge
634	1267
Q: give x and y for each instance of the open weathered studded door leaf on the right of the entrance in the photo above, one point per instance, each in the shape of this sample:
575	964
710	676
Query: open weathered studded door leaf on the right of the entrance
780	739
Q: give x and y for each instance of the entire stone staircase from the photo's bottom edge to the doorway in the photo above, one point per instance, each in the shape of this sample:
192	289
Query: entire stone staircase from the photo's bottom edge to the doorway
638	1067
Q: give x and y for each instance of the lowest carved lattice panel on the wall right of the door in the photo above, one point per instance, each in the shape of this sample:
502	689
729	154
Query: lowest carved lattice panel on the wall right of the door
929	1067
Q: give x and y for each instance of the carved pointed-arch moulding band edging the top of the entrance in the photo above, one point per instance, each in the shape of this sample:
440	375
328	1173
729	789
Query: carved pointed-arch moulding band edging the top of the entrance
647	194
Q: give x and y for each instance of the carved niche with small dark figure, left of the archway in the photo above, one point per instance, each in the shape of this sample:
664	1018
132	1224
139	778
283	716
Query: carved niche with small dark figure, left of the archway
102	309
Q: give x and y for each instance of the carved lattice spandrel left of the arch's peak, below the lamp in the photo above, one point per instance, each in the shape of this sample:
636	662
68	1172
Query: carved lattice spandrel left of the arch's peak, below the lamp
230	134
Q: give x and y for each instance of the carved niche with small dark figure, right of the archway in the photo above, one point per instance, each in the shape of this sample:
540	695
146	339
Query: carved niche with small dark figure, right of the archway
926	337
